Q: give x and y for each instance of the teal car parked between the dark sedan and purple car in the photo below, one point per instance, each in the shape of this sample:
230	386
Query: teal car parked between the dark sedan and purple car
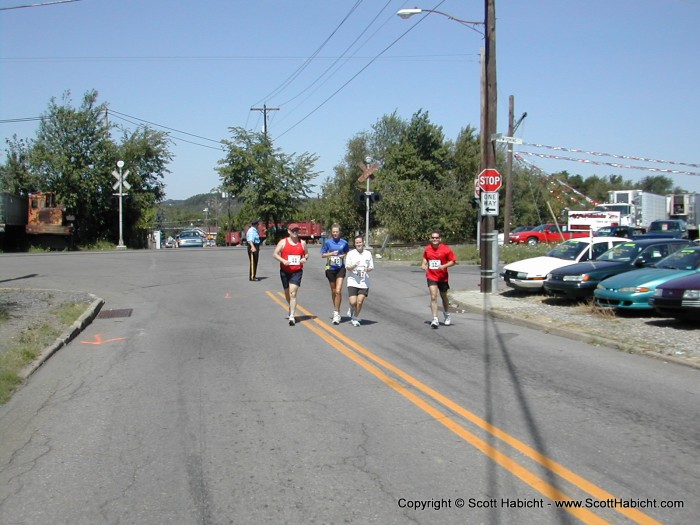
632	290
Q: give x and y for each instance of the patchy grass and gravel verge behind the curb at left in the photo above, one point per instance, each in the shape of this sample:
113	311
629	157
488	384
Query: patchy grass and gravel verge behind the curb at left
30	342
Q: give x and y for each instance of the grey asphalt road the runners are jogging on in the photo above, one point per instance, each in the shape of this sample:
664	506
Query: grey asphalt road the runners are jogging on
203	406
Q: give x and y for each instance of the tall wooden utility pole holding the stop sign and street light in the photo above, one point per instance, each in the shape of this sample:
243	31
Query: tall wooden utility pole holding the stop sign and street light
488	153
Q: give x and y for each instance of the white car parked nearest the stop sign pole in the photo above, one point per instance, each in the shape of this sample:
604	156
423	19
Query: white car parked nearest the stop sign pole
530	274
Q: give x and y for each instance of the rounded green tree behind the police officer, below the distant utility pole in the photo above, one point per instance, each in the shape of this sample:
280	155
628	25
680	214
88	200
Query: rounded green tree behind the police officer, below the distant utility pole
270	183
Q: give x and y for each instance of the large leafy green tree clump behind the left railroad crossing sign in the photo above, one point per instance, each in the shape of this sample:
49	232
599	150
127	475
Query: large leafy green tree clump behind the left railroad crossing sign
74	155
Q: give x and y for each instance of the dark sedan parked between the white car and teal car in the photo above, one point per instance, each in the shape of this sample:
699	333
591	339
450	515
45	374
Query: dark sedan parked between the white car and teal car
580	280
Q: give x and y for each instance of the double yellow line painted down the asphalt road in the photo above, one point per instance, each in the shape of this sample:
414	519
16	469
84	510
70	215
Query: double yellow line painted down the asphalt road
371	362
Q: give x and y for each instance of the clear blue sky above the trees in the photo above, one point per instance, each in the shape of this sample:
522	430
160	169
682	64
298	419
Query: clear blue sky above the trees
616	77
